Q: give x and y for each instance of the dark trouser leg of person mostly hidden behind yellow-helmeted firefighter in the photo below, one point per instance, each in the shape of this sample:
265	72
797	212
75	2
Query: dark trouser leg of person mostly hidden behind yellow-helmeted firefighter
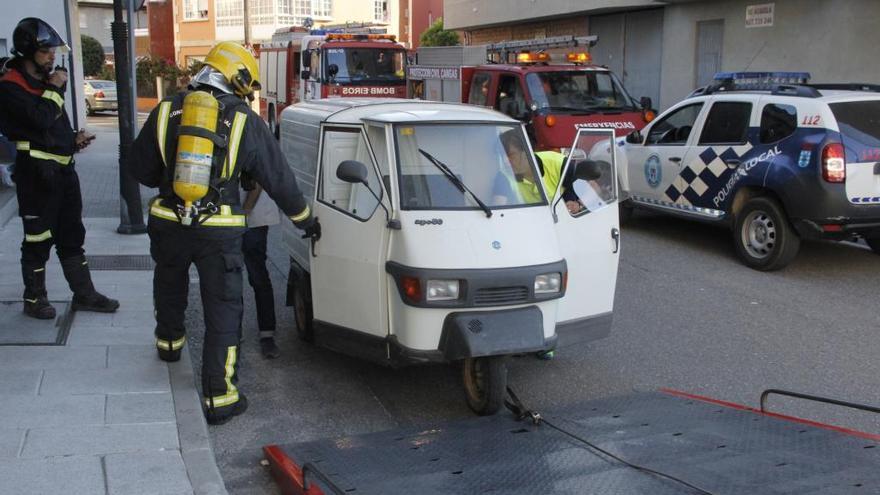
254	249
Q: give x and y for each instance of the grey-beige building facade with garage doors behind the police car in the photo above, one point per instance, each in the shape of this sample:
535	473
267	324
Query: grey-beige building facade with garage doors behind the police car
665	49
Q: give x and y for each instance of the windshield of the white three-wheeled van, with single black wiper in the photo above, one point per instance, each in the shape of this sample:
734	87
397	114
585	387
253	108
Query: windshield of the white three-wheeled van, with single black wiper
439	163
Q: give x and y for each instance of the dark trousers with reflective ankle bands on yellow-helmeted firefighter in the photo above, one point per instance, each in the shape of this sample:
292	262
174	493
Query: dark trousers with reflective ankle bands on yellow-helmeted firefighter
218	261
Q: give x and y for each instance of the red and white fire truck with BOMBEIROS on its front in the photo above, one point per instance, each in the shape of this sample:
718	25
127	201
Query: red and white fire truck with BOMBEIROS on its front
335	61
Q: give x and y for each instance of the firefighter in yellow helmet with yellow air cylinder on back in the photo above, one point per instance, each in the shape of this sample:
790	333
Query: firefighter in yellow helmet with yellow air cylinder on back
199	152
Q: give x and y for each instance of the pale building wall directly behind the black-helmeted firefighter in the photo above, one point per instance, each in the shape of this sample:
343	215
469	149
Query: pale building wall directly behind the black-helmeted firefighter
63	16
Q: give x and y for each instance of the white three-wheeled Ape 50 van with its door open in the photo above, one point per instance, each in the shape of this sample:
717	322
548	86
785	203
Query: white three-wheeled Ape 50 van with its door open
440	245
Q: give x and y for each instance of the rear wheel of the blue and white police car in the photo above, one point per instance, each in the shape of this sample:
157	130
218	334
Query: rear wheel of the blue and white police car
764	238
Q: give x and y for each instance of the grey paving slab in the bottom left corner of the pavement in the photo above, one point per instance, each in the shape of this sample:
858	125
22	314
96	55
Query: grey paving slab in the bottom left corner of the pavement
76	474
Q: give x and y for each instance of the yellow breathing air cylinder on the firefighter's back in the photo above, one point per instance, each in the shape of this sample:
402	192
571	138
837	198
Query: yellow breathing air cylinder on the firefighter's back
195	154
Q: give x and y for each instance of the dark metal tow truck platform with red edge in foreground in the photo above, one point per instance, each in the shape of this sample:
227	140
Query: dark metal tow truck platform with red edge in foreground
658	443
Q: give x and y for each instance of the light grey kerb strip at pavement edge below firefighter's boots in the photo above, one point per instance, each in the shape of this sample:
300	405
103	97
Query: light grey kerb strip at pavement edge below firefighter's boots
192	431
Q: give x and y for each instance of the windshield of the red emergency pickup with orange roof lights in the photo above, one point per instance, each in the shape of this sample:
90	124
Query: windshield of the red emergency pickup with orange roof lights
578	91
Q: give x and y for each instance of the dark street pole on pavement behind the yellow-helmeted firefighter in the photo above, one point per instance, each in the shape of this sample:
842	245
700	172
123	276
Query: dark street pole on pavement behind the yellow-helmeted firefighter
131	218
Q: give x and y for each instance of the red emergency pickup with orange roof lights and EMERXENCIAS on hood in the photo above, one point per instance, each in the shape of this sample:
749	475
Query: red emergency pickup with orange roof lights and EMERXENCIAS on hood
520	79
